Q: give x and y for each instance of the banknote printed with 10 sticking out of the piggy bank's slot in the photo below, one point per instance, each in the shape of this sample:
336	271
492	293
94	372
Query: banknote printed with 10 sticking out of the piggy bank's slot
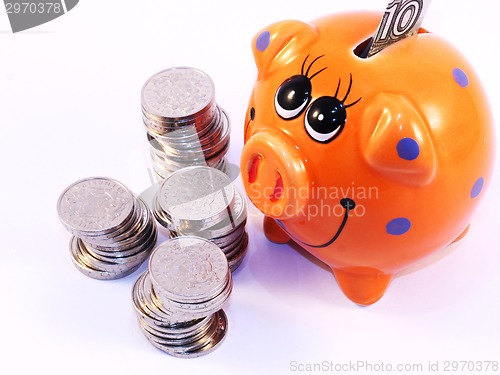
401	19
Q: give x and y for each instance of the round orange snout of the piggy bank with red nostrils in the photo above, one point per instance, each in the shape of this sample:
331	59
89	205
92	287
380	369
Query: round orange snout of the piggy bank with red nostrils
274	175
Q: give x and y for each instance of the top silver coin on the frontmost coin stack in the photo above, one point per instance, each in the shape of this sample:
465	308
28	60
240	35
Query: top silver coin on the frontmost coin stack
187	268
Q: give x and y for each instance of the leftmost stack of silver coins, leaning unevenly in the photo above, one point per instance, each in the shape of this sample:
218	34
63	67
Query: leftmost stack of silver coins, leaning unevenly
113	230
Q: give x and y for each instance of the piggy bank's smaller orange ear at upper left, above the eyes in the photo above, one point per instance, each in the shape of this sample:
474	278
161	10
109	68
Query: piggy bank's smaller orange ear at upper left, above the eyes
278	44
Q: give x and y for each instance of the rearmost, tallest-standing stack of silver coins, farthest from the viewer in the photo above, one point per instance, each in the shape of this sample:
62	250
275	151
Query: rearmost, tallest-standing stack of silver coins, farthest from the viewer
184	124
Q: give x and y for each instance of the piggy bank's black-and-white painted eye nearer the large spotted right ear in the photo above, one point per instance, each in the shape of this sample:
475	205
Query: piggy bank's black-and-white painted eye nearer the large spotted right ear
325	119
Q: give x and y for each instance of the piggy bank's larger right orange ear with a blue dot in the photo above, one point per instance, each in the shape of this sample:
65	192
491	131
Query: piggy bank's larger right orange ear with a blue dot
395	140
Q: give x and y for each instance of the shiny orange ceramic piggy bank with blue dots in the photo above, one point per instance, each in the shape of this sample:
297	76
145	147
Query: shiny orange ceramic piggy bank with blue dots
370	164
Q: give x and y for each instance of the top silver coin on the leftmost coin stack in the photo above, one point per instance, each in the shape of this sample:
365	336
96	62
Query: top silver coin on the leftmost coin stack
94	205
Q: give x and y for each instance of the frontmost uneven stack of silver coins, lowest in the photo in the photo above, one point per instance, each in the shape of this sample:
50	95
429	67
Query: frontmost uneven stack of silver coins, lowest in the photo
179	299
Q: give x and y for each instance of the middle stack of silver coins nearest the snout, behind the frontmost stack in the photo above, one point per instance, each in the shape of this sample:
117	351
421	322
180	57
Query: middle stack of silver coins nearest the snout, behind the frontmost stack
202	201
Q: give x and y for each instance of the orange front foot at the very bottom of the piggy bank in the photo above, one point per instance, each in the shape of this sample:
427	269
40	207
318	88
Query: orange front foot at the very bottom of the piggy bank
362	285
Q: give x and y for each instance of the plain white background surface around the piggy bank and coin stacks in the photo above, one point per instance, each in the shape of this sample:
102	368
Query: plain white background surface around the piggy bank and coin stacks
70	108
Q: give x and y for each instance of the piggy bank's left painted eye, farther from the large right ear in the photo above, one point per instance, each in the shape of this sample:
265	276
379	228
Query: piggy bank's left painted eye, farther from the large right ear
292	97
